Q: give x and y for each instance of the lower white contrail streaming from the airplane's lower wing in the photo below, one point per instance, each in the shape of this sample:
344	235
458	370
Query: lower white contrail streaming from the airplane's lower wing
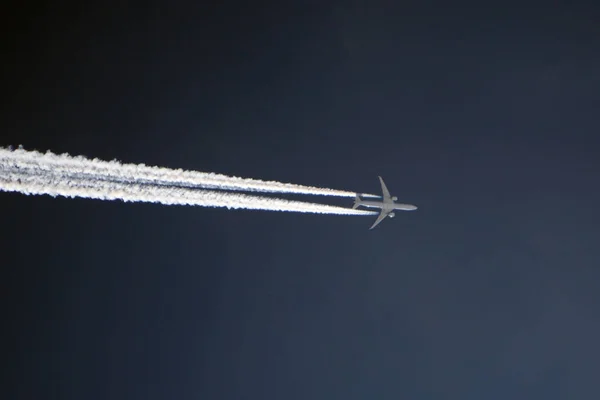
18	175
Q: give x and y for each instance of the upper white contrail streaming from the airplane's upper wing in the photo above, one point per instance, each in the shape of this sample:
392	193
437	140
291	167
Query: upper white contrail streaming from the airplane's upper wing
81	167
